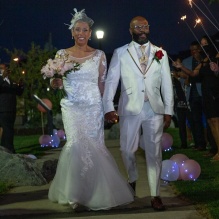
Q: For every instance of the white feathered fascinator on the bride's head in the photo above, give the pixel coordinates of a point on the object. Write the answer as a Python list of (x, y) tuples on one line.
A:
[(80, 16)]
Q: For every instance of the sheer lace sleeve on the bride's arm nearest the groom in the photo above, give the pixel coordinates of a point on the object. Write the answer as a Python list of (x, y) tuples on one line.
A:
[(102, 73)]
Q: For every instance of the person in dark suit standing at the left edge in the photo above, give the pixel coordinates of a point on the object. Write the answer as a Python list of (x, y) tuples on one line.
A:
[(8, 101)]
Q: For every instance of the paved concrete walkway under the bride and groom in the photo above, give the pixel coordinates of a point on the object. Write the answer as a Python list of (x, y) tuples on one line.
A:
[(31, 201)]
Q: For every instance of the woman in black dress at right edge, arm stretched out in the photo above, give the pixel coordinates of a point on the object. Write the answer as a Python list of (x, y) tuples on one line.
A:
[(208, 72)]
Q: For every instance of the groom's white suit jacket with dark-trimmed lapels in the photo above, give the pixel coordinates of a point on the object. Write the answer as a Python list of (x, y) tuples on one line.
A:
[(157, 81)]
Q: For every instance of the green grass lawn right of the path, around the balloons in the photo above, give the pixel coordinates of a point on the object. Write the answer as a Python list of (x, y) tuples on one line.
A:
[(204, 192)]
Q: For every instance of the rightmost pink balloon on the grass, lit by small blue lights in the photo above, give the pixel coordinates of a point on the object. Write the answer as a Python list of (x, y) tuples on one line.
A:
[(190, 170)]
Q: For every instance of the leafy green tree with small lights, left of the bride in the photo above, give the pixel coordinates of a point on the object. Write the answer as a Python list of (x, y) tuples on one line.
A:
[(28, 68)]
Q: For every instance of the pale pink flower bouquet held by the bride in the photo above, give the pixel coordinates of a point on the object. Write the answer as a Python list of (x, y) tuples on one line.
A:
[(58, 68)]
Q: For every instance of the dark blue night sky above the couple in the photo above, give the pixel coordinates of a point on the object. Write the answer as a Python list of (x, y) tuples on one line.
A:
[(26, 21)]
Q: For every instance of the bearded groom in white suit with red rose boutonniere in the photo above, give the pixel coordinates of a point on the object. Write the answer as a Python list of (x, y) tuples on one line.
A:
[(146, 103)]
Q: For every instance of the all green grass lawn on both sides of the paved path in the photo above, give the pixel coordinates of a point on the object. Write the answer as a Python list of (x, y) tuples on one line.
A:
[(204, 192)]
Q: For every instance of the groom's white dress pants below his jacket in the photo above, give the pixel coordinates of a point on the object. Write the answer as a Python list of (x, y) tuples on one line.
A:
[(130, 131)]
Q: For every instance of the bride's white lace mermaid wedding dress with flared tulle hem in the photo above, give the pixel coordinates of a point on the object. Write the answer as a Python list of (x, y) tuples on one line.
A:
[(87, 173)]
